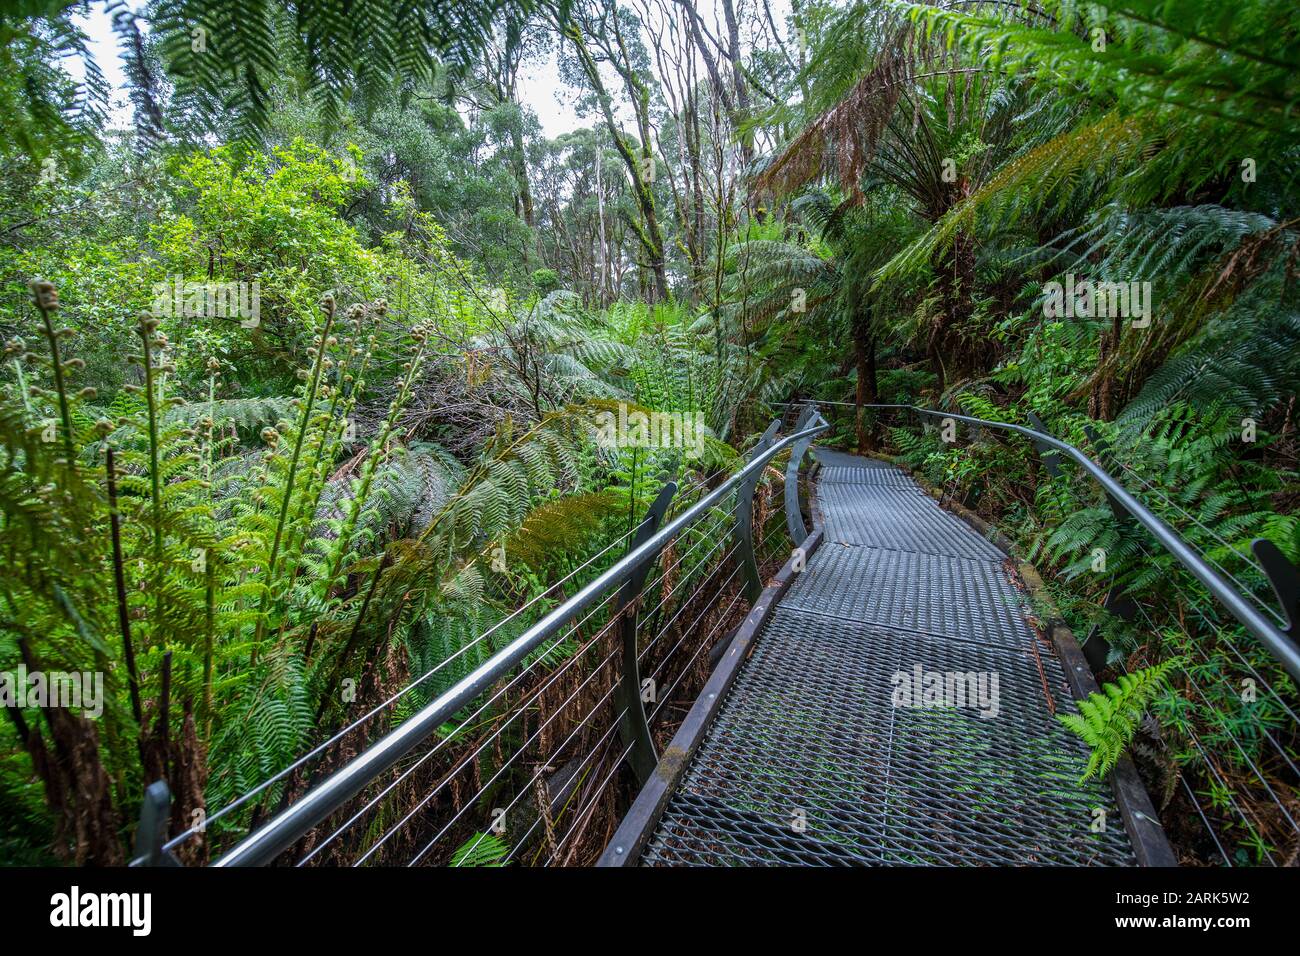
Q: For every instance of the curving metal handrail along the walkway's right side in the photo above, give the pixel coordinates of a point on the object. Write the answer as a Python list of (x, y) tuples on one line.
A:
[(1285, 650)]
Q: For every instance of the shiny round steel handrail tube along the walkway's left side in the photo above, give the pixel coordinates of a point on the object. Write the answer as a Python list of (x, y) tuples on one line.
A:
[(287, 828)]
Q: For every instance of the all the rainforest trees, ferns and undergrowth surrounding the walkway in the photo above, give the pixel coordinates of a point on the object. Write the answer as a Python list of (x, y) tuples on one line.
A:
[(304, 348)]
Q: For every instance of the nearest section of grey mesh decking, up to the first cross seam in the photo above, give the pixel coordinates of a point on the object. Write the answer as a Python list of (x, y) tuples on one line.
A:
[(811, 764)]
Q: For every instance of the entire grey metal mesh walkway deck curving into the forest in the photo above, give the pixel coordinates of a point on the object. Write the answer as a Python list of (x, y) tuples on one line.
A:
[(813, 762)]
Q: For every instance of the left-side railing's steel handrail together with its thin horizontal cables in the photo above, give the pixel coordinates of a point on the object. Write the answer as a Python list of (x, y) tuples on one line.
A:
[(339, 790)]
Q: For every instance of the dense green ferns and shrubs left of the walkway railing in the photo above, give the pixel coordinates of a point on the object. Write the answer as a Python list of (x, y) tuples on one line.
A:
[(258, 555)]
